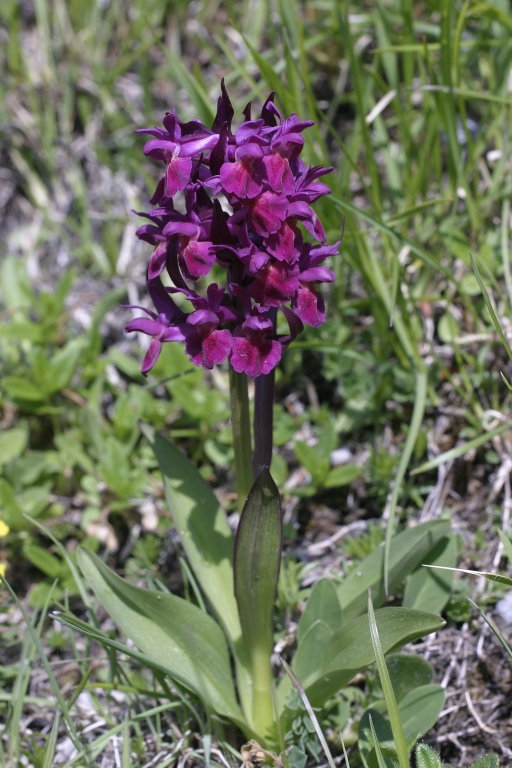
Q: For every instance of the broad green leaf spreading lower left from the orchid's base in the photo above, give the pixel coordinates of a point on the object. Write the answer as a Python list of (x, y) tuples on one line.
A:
[(171, 631)]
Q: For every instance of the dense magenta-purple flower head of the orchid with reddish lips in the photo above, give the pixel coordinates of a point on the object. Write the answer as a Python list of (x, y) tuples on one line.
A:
[(265, 189)]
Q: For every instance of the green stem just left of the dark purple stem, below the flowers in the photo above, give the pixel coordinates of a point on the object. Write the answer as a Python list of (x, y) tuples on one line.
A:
[(241, 425)]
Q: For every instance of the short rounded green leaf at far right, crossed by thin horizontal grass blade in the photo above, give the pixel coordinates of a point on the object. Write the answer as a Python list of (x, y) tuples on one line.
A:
[(430, 589)]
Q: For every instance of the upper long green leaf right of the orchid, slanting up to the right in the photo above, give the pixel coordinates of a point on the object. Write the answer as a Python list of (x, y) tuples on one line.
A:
[(408, 550)]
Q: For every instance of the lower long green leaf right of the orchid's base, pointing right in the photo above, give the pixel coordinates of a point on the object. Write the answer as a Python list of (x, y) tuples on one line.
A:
[(350, 649)]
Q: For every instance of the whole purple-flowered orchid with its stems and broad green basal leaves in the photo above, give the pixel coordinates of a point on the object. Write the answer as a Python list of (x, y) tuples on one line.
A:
[(256, 174)]
